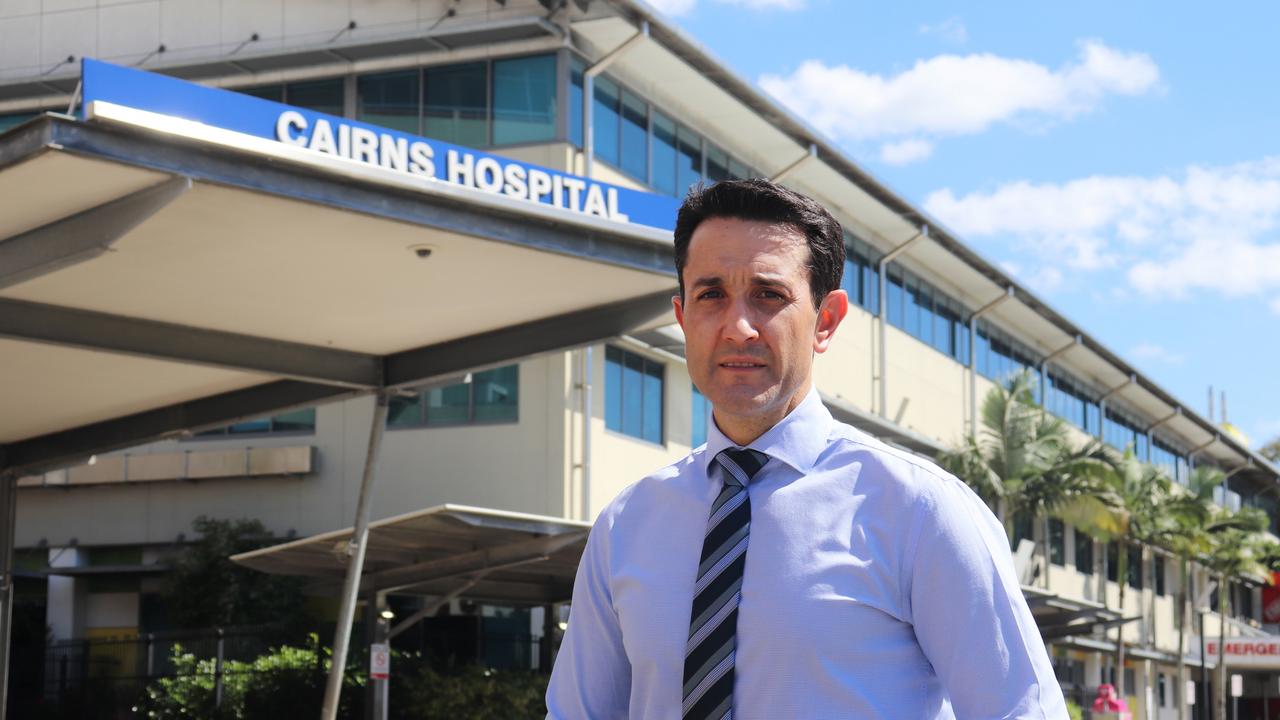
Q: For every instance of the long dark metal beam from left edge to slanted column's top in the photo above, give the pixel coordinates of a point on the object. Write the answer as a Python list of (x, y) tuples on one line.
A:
[(132, 336)]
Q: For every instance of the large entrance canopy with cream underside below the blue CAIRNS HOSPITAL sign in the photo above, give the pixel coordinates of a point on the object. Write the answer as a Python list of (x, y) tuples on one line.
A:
[(159, 277)]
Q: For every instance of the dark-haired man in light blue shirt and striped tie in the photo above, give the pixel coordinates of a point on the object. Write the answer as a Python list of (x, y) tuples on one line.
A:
[(793, 567)]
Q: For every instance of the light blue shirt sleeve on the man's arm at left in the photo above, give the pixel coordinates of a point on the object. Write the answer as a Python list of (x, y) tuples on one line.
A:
[(592, 678)]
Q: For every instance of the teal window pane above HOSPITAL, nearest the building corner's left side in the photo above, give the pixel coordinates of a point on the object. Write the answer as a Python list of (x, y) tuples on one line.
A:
[(524, 101)]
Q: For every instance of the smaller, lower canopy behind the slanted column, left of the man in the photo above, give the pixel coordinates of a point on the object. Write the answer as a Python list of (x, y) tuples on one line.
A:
[(497, 557)]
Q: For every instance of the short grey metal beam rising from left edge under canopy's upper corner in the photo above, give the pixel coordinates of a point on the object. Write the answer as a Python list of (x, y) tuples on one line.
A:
[(83, 236)]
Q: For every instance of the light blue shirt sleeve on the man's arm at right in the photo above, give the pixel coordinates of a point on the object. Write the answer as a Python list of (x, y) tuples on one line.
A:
[(970, 613)]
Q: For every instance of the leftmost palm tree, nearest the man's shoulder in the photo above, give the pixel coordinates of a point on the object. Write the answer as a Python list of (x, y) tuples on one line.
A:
[(1025, 461)]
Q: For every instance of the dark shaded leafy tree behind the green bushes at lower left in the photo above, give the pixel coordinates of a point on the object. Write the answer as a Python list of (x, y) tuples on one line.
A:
[(207, 590)]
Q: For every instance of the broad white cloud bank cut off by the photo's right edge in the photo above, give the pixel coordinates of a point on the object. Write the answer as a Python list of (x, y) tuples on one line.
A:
[(1206, 229)]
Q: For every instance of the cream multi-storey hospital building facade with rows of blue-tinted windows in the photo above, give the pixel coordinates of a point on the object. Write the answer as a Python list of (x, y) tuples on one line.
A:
[(607, 90)]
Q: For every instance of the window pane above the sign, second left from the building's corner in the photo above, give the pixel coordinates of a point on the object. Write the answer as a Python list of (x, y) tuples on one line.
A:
[(456, 107)]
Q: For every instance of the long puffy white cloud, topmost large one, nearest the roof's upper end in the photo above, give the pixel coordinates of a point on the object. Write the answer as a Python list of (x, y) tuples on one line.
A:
[(958, 94)]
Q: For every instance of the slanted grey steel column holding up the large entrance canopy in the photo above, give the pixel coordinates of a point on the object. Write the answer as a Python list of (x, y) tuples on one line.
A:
[(356, 566)]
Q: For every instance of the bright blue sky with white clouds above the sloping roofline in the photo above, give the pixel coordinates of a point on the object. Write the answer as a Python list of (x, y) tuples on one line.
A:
[(1122, 161)]
